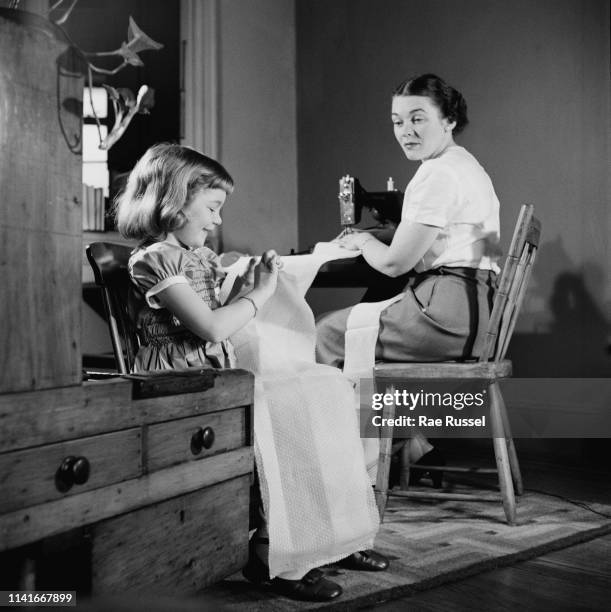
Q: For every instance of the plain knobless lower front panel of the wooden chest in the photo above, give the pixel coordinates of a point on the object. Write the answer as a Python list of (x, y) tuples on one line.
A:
[(176, 547)]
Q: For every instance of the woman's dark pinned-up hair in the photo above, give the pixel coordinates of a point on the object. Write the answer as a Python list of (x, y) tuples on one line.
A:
[(449, 101)]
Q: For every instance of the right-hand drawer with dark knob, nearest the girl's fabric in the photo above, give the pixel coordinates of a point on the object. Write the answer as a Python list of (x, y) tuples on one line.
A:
[(195, 438)]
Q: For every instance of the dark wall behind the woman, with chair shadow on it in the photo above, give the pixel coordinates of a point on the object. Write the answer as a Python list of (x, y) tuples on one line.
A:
[(535, 75)]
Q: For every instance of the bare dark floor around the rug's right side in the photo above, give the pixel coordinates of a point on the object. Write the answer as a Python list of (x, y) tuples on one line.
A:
[(575, 578)]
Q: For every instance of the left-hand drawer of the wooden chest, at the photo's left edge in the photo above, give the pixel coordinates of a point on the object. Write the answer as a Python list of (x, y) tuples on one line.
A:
[(32, 476)]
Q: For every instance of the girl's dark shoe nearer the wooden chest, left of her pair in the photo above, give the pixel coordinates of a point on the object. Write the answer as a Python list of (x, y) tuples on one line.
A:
[(312, 587)]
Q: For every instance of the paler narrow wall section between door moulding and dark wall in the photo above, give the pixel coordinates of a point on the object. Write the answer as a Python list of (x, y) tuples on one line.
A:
[(258, 141)]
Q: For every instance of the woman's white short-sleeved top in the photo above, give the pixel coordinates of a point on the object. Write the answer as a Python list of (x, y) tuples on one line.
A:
[(453, 192)]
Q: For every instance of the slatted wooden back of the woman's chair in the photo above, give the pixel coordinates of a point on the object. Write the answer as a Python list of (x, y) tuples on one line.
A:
[(512, 284)]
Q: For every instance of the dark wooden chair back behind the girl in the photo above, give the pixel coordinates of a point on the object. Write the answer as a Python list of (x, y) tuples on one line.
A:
[(109, 264)]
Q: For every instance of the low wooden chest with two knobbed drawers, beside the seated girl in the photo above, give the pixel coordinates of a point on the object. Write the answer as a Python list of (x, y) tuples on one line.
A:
[(161, 484)]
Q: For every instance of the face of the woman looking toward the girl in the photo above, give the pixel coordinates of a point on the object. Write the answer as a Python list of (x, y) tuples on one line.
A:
[(419, 128)]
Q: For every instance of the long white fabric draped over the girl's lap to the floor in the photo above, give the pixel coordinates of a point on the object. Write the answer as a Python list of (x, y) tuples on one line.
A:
[(317, 498)]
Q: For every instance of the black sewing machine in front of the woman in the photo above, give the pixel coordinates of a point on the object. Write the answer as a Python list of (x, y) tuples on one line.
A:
[(384, 206)]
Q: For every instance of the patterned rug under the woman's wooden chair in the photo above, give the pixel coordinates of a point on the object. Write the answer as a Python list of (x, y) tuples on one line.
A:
[(431, 543)]
